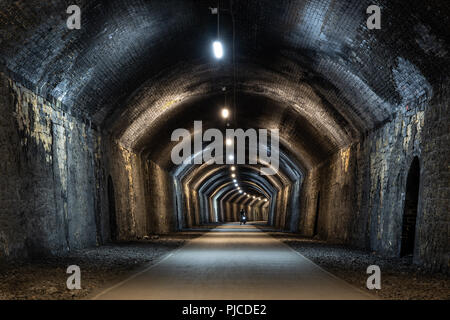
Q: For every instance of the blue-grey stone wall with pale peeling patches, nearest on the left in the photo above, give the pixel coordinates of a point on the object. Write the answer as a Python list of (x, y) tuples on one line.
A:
[(48, 176)]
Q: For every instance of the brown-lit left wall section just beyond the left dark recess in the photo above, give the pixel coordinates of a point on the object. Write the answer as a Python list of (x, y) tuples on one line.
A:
[(144, 193)]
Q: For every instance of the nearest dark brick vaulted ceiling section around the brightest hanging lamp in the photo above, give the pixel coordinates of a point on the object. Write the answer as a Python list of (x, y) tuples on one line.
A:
[(135, 60)]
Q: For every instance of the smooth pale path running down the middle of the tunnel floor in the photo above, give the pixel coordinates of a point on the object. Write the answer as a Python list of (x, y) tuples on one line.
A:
[(235, 263)]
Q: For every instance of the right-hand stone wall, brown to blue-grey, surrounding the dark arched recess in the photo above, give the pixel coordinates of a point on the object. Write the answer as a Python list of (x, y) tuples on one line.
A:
[(362, 187)]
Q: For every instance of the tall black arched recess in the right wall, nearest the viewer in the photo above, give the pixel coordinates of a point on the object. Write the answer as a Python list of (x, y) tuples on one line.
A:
[(410, 209)]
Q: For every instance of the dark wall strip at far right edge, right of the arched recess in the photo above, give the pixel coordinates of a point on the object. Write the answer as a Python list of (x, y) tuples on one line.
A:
[(435, 205)]
